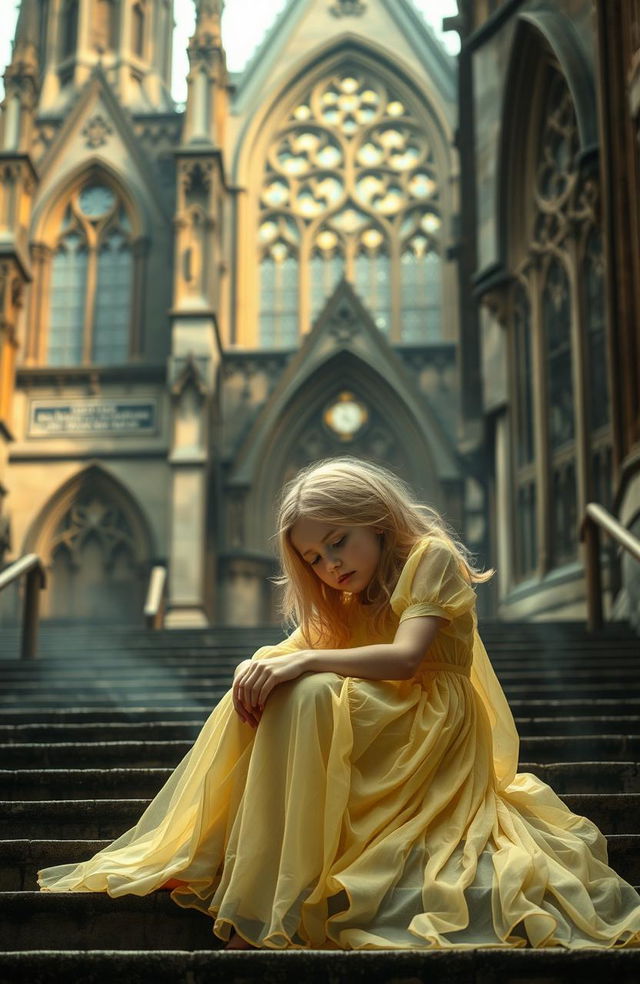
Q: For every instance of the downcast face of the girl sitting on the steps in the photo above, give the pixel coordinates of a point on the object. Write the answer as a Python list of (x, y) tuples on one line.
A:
[(344, 557)]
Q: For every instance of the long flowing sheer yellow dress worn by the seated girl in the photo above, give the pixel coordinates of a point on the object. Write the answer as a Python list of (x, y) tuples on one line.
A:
[(365, 813)]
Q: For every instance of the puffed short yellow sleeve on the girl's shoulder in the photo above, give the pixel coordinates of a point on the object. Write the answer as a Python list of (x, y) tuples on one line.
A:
[(432, 583)]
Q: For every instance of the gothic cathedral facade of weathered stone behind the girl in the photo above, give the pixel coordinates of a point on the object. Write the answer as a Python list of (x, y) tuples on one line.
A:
[(358, 244)]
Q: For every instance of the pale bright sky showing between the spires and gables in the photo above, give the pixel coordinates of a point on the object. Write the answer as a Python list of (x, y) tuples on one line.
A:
[(244, 24)]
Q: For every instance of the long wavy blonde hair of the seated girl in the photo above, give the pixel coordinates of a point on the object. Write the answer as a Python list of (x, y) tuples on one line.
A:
[(349, 492)]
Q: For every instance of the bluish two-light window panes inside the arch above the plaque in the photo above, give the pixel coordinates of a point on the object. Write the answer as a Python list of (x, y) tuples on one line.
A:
[(91, 281)]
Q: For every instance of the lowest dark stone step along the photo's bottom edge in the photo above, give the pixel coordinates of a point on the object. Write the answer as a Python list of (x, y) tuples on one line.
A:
[(481, 966)]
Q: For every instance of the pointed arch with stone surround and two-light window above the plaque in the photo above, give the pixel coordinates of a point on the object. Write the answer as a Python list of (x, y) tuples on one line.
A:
[(88, 283)]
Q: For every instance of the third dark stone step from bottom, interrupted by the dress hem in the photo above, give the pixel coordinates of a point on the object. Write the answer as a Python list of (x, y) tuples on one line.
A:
[(21, 859)]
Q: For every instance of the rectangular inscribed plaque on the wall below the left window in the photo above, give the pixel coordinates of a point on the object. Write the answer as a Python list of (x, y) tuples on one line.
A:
[(74, 418)]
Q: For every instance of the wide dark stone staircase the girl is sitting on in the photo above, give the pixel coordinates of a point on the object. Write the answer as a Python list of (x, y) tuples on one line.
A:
[(92, 729)]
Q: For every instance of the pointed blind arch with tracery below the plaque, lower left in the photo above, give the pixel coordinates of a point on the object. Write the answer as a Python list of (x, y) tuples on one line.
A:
[(96, 545)]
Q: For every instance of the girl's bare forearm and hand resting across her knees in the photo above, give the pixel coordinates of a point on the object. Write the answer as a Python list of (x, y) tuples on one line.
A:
[(397, 660)]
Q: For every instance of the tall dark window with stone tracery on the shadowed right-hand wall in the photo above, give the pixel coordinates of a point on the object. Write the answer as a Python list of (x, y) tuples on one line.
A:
[(564, 233)]
